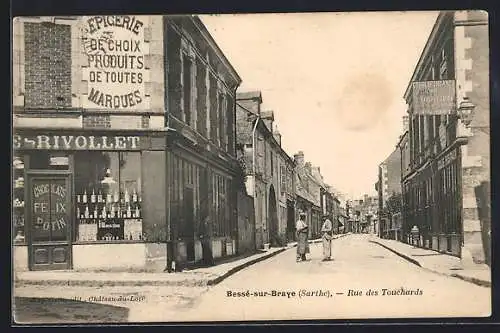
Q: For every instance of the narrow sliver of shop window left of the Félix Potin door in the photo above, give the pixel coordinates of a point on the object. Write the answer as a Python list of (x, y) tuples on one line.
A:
[(18, 198)]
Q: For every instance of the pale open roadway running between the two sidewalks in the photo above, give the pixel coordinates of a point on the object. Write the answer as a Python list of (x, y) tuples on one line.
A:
[(363, 281)]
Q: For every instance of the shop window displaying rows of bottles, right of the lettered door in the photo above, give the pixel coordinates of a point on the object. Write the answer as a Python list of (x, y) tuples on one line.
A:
[(108, 196)]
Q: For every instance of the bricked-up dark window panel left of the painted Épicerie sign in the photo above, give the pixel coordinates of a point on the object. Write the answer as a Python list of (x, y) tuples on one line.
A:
[(47, 65)]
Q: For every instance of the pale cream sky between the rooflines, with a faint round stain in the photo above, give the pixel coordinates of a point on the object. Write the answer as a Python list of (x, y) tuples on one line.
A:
[(335, 82)]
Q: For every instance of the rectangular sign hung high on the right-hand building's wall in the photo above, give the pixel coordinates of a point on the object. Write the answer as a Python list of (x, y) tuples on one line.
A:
[(433, 97)]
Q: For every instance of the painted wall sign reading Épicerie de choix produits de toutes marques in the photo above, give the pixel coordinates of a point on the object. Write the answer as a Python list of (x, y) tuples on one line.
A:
[(116, 73)]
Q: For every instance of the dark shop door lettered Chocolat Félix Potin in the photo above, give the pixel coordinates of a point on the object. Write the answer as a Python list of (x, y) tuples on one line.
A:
[(50, 221)]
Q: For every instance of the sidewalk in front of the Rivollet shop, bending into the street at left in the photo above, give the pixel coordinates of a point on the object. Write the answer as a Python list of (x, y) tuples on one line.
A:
[(196, 277)]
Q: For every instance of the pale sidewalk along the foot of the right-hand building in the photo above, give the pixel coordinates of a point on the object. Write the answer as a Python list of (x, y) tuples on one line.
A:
[(437, 262)]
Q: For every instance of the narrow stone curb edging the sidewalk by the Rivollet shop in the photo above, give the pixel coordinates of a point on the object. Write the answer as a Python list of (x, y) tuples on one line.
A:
[(189, 282)]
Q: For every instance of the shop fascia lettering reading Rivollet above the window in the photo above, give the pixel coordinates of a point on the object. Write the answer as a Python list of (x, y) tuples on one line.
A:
[(77, 142)]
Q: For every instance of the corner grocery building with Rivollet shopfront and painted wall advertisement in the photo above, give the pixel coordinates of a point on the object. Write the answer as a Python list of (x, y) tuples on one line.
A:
[(124, 133)]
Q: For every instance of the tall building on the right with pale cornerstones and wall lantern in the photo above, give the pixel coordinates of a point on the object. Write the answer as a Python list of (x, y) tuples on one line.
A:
[(448, 137)]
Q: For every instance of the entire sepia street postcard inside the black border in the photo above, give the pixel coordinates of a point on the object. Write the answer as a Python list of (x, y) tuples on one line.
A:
[(250, 167)]
